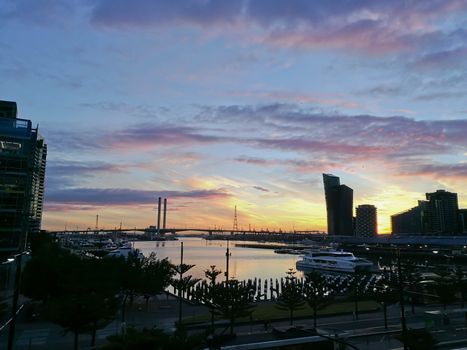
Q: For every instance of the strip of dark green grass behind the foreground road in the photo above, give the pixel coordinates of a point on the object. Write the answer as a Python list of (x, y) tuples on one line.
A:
[(269, 311)]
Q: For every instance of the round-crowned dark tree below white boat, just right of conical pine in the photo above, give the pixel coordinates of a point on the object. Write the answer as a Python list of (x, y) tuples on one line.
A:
[(315, 292)]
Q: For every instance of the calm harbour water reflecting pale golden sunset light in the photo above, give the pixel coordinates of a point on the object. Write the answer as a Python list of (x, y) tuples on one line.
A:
[(245, 263)]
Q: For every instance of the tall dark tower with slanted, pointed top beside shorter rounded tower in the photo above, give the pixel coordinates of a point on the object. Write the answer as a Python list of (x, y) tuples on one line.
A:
[(339, 206)]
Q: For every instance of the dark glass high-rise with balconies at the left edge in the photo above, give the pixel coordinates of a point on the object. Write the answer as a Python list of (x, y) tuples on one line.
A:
[(22, 170)]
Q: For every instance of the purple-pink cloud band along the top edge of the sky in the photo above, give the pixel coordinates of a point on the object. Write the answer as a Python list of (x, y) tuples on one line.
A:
[(376, 27)]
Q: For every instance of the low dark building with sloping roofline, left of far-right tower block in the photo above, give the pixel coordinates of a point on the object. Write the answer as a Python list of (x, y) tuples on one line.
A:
[(413, 221)]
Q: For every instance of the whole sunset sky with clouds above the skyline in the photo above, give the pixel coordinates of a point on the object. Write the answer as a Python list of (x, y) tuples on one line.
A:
[(215, 104)]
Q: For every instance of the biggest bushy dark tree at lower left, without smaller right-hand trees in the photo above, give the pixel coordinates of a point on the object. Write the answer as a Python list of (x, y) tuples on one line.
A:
[(78, 293)]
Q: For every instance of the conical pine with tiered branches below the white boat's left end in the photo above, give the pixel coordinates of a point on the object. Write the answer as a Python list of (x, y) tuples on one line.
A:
[(291, 297)]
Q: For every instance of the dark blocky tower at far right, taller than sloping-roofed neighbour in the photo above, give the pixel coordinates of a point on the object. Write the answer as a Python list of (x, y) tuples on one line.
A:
[(443, 212)]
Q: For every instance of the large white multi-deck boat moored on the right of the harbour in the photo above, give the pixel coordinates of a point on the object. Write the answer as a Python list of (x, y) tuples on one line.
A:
[(334, 261)]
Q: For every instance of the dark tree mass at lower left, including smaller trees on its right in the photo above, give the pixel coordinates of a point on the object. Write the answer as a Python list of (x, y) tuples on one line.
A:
[(80, 294)]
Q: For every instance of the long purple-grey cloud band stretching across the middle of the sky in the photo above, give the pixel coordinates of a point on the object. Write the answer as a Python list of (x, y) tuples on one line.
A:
[(322, 140)]
